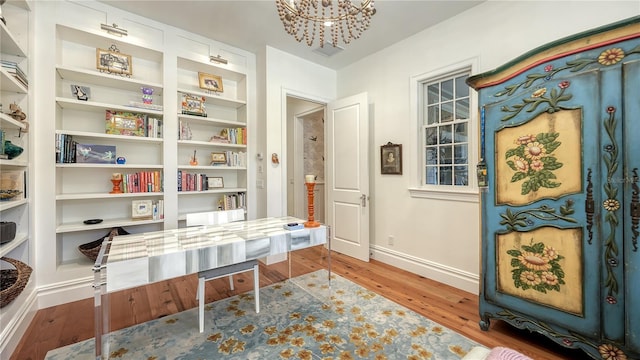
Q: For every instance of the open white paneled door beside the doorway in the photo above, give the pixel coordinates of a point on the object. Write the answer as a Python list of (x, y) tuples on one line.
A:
[(347, 180)]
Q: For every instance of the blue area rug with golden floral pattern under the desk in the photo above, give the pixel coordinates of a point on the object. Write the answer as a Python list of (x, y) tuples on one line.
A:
[(303, 318)]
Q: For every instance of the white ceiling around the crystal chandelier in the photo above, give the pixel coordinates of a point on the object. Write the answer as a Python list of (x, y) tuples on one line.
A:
[(251, 25)]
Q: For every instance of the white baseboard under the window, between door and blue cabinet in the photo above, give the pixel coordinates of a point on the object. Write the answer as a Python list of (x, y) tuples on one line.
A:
[(447, 275)]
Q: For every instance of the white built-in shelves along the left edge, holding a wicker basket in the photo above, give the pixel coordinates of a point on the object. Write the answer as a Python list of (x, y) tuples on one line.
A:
[(16, 125)]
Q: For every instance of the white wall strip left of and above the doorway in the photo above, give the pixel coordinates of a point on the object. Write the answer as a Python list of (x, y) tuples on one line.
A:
[(287, 75)]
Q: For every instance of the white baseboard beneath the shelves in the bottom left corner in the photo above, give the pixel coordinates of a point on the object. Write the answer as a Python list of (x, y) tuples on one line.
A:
[(12, 331)]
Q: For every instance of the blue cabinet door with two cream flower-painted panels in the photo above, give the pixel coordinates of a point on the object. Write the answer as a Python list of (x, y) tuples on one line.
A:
[(536, 216)]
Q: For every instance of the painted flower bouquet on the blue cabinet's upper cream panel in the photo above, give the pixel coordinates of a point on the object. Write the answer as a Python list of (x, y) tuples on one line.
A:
[(534, 161)]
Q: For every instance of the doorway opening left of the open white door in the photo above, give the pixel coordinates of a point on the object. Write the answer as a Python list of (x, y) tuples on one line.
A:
[(305, 147)]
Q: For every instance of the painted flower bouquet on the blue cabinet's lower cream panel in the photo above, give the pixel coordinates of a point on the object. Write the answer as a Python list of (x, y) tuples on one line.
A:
[(537, 267)]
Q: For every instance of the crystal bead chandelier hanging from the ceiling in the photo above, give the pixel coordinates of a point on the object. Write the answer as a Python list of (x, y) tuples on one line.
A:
[(343, 18)]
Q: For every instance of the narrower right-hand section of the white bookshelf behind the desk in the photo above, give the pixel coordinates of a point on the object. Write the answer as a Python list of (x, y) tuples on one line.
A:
[(212, 141)]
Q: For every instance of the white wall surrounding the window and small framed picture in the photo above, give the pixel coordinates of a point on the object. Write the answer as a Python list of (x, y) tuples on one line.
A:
[(440, 238)]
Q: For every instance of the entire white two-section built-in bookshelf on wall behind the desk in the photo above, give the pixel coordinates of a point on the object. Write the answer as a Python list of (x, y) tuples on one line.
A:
[(77, 101)]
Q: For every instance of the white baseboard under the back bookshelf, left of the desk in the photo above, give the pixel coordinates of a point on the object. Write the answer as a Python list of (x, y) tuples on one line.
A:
[(65, 292)]
